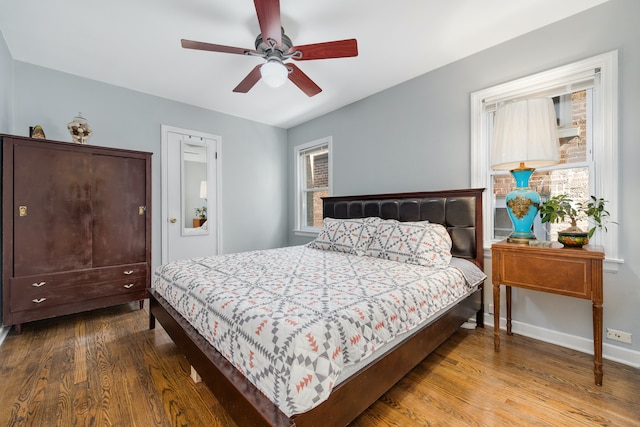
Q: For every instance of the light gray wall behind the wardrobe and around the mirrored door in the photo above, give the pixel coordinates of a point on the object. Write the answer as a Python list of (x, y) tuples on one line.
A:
[(253, 210)]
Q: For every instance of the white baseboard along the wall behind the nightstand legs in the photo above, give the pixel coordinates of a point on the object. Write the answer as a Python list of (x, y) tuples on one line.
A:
[(610, 352)]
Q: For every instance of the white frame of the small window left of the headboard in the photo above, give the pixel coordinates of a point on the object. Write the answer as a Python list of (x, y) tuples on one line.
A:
[(300, 205)]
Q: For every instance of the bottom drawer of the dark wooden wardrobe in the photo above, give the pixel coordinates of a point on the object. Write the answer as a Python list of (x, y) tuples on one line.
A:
[(33, 298)]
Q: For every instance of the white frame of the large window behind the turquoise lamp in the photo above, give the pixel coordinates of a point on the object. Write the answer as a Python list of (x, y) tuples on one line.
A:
[(605, 137)]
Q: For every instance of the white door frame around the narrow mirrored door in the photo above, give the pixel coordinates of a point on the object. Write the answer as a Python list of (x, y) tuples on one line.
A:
[(164, 158)]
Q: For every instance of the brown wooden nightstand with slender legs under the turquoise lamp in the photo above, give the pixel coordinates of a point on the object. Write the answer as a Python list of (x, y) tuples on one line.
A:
[(557, 270)]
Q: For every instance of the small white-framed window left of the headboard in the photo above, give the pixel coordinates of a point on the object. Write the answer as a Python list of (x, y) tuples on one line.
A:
[(313, 181)]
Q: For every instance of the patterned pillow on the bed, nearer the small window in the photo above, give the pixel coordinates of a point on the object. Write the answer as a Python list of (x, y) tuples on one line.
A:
[(346, 235)]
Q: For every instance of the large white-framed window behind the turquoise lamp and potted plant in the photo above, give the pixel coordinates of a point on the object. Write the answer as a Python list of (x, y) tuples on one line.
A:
[(585, 97)]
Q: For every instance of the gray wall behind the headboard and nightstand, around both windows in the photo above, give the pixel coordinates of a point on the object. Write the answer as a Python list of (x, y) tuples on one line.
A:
[(416, 136)]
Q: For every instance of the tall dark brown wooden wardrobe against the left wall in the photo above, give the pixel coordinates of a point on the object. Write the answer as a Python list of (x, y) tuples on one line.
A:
[(76, 228)]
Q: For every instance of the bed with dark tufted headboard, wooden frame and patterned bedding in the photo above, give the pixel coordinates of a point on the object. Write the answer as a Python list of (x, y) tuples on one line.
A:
[(344, 396)]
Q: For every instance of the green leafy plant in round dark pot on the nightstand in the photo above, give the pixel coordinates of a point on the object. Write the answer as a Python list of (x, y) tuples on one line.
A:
[(559, 207)]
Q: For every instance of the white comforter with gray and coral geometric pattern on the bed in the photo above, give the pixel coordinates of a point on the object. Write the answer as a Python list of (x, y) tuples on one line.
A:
[(291, 319)]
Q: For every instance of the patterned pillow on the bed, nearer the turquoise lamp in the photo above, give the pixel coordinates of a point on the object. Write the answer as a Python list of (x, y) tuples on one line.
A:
[(419, 243)]
